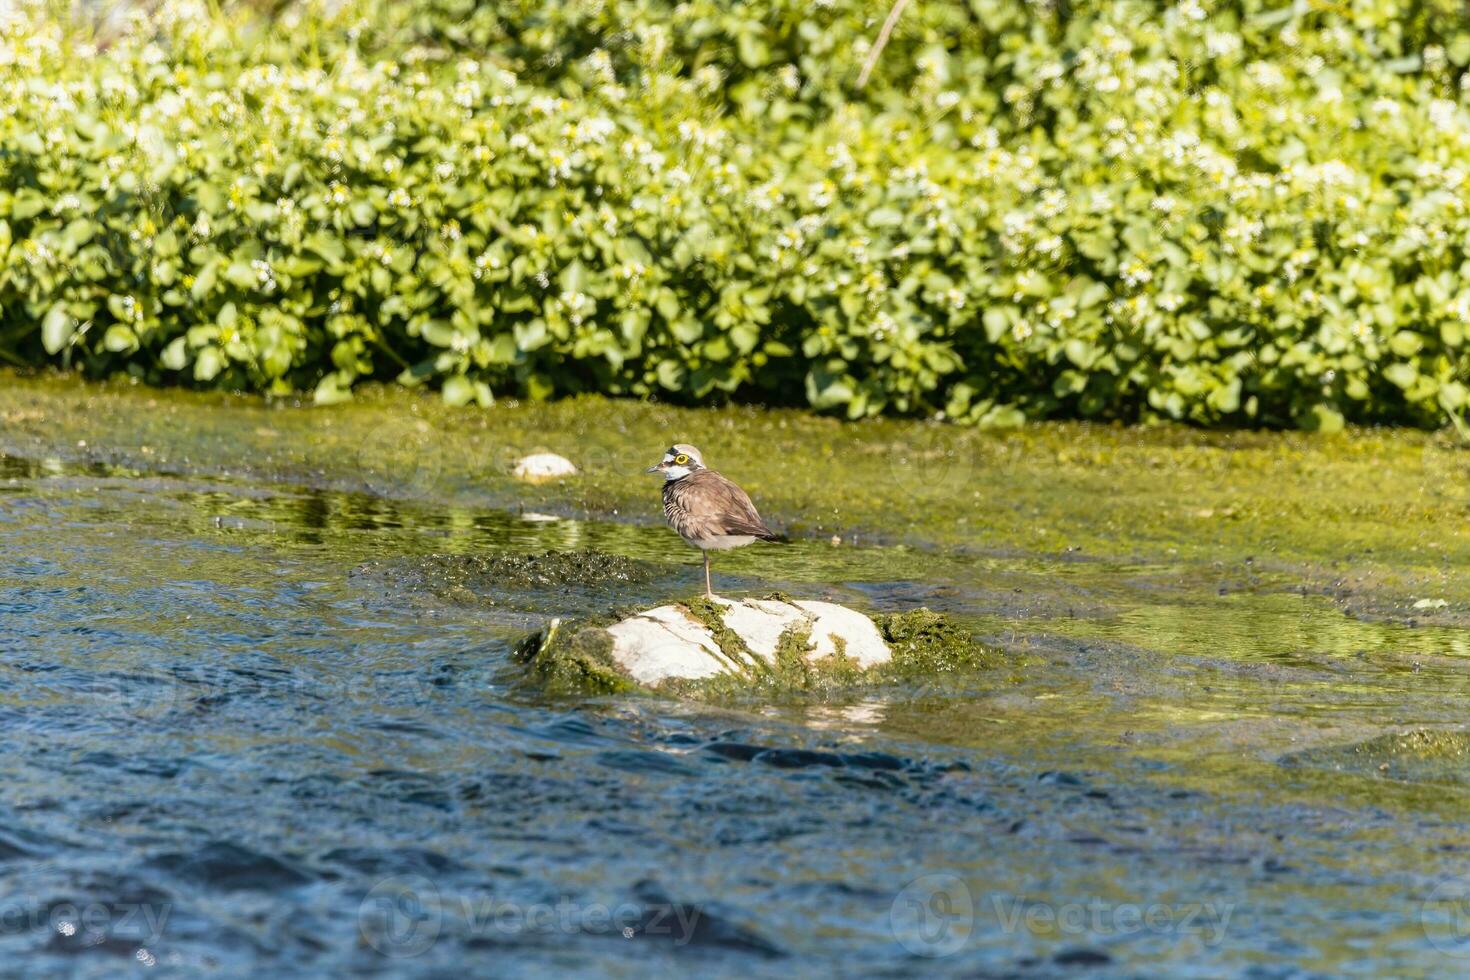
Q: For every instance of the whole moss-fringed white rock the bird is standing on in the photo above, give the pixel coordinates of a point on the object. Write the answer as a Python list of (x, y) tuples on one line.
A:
[(723, 647)]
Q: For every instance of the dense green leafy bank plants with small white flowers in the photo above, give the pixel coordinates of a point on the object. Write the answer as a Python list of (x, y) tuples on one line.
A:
[(1241, 214)]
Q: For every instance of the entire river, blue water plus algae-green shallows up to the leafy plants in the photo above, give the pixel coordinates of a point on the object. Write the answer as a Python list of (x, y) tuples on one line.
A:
[(262, 712)]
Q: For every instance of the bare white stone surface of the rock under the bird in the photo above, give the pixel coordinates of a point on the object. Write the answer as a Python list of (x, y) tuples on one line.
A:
[(668, 643)]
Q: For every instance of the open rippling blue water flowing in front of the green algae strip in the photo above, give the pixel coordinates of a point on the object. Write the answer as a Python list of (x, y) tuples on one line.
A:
[(242, 737)]
